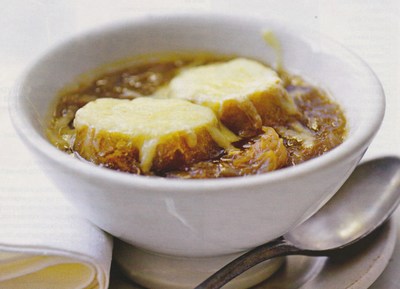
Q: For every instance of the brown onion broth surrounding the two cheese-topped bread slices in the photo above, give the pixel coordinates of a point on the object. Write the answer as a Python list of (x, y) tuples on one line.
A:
[(319, 118)]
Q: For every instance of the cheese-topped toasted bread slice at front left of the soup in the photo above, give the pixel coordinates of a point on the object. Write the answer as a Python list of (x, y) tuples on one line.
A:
[(148, 134)]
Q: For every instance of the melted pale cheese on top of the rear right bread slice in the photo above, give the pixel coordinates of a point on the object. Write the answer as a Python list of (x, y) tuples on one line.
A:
[(213, 84)]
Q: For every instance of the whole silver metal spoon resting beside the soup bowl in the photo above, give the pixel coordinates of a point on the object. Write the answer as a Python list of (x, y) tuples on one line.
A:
[(363, 203)]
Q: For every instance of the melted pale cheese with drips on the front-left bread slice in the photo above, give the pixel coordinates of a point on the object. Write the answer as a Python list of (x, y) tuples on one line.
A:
[(148, 122)]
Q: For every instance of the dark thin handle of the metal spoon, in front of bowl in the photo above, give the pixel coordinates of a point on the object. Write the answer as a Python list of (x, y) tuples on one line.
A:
[(276, 248)]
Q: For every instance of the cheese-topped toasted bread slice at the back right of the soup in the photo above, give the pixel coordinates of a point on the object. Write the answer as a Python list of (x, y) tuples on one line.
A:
[(243, 93)]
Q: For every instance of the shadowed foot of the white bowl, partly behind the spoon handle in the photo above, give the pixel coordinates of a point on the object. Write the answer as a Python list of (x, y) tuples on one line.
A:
[(156, 271)]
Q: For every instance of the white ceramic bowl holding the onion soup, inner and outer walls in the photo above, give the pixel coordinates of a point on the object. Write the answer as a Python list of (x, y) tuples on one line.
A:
[(200, 217)]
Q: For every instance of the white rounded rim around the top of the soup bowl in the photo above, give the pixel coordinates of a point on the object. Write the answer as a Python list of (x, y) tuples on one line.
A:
[(41, 145)]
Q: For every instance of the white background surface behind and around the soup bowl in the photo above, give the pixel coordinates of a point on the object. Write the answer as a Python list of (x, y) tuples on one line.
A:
[(371, 28)]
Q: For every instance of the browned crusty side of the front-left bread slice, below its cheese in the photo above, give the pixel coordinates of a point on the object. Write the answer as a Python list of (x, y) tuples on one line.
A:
[(117, 152)]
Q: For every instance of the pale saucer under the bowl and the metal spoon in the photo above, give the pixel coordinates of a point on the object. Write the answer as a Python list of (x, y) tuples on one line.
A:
[(356, 268)]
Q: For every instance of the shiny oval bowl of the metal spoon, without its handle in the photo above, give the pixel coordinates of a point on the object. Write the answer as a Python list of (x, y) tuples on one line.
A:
[(363, 203)]
